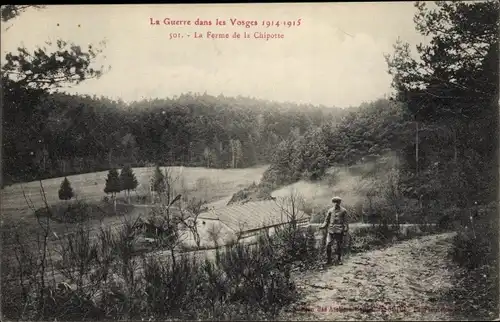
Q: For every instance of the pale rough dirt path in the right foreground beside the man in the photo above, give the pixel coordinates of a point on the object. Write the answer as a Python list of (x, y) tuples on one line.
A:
[(403, 282)]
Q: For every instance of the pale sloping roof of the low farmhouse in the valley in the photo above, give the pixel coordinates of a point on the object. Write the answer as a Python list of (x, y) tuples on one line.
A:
[(254, 215)]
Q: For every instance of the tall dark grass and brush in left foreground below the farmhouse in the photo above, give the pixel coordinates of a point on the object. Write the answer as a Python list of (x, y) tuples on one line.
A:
[(103, 278)]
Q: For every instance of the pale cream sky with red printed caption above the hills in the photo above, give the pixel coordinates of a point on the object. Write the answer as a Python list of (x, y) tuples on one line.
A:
[(335, 57)]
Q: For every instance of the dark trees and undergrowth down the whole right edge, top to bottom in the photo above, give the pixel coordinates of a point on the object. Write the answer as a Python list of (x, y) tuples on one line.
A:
[(451, 91)]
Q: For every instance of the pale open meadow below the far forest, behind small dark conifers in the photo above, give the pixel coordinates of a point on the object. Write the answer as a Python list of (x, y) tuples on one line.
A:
[(208, 184)]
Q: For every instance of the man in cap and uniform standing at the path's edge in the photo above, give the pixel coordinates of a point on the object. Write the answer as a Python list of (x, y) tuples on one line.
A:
[(337, 225)]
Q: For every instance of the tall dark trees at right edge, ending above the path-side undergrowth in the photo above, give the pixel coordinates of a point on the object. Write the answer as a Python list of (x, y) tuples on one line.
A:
[(452, 89)]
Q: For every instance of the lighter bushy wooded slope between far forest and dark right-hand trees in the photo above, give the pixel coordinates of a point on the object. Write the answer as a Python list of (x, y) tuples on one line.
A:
[(363, 135)]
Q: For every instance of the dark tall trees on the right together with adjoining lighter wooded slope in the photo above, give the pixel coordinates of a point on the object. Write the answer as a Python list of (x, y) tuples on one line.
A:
[(442, 121)]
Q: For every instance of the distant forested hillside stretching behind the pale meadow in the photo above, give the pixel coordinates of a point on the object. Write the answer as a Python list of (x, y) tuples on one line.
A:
[(47, 135)]
